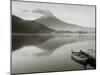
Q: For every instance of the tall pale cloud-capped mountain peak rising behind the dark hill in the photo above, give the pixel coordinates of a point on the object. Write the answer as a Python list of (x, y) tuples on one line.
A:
[(53, 22)]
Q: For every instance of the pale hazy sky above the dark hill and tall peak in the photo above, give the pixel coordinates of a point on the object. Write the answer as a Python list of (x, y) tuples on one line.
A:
[(80, 15)]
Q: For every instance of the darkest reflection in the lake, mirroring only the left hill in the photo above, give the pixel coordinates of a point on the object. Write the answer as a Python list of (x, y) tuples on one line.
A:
[(19, 41)]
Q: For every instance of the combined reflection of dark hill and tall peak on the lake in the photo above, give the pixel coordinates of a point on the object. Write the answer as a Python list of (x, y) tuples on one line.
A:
[(47, 43)]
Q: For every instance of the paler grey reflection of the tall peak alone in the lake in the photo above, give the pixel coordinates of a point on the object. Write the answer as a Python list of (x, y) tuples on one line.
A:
[(50, 45)]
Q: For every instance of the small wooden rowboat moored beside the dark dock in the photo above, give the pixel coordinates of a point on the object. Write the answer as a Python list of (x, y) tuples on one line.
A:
[(80, 58)]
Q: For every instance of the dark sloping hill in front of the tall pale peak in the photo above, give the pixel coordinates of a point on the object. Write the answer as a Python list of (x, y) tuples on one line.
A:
[(22, 26)]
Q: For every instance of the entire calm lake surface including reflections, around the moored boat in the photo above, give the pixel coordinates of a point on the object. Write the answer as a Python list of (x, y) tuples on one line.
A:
[(41, 53)]
